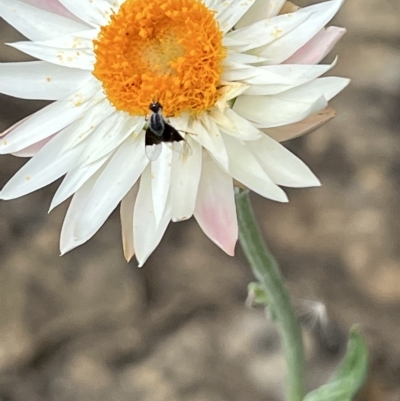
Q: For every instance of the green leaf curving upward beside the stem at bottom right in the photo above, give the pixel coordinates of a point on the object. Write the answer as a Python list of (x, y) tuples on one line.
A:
[(349, 376)]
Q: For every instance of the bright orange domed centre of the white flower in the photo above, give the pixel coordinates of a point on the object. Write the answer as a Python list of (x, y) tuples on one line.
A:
[(168, 51)]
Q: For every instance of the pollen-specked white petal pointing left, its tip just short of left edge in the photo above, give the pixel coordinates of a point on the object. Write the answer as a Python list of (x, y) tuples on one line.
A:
[(73, 51)]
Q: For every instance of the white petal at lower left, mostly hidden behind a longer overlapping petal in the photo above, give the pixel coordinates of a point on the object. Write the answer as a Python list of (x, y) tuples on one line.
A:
[(79, 201)]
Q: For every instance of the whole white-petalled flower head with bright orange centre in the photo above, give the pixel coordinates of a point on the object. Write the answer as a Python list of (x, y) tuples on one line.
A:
[(229, 75)]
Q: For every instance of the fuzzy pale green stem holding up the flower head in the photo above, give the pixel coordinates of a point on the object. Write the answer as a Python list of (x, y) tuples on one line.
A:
[(266, 270)]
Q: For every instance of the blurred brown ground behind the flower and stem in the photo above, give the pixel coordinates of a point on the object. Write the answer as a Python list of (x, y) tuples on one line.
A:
[(88, 326)]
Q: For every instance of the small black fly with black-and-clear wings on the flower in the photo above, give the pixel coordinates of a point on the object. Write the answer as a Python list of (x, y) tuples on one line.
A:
[(160, 131)]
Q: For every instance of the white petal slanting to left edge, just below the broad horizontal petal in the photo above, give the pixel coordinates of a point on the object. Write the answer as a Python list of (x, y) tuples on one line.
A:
[(50, 119)]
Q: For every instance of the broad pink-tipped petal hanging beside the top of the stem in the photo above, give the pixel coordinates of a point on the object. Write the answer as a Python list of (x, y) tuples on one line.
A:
[(215, 207)]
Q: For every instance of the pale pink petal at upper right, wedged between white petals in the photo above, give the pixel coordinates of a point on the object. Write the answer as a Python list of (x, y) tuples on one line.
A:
[(318, 47)]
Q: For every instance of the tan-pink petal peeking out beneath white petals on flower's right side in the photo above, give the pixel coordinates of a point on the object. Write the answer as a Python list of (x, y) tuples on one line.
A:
[(309, 124)]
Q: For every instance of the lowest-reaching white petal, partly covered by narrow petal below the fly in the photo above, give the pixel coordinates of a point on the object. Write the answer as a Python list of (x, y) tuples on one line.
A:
[(147, 234)]
